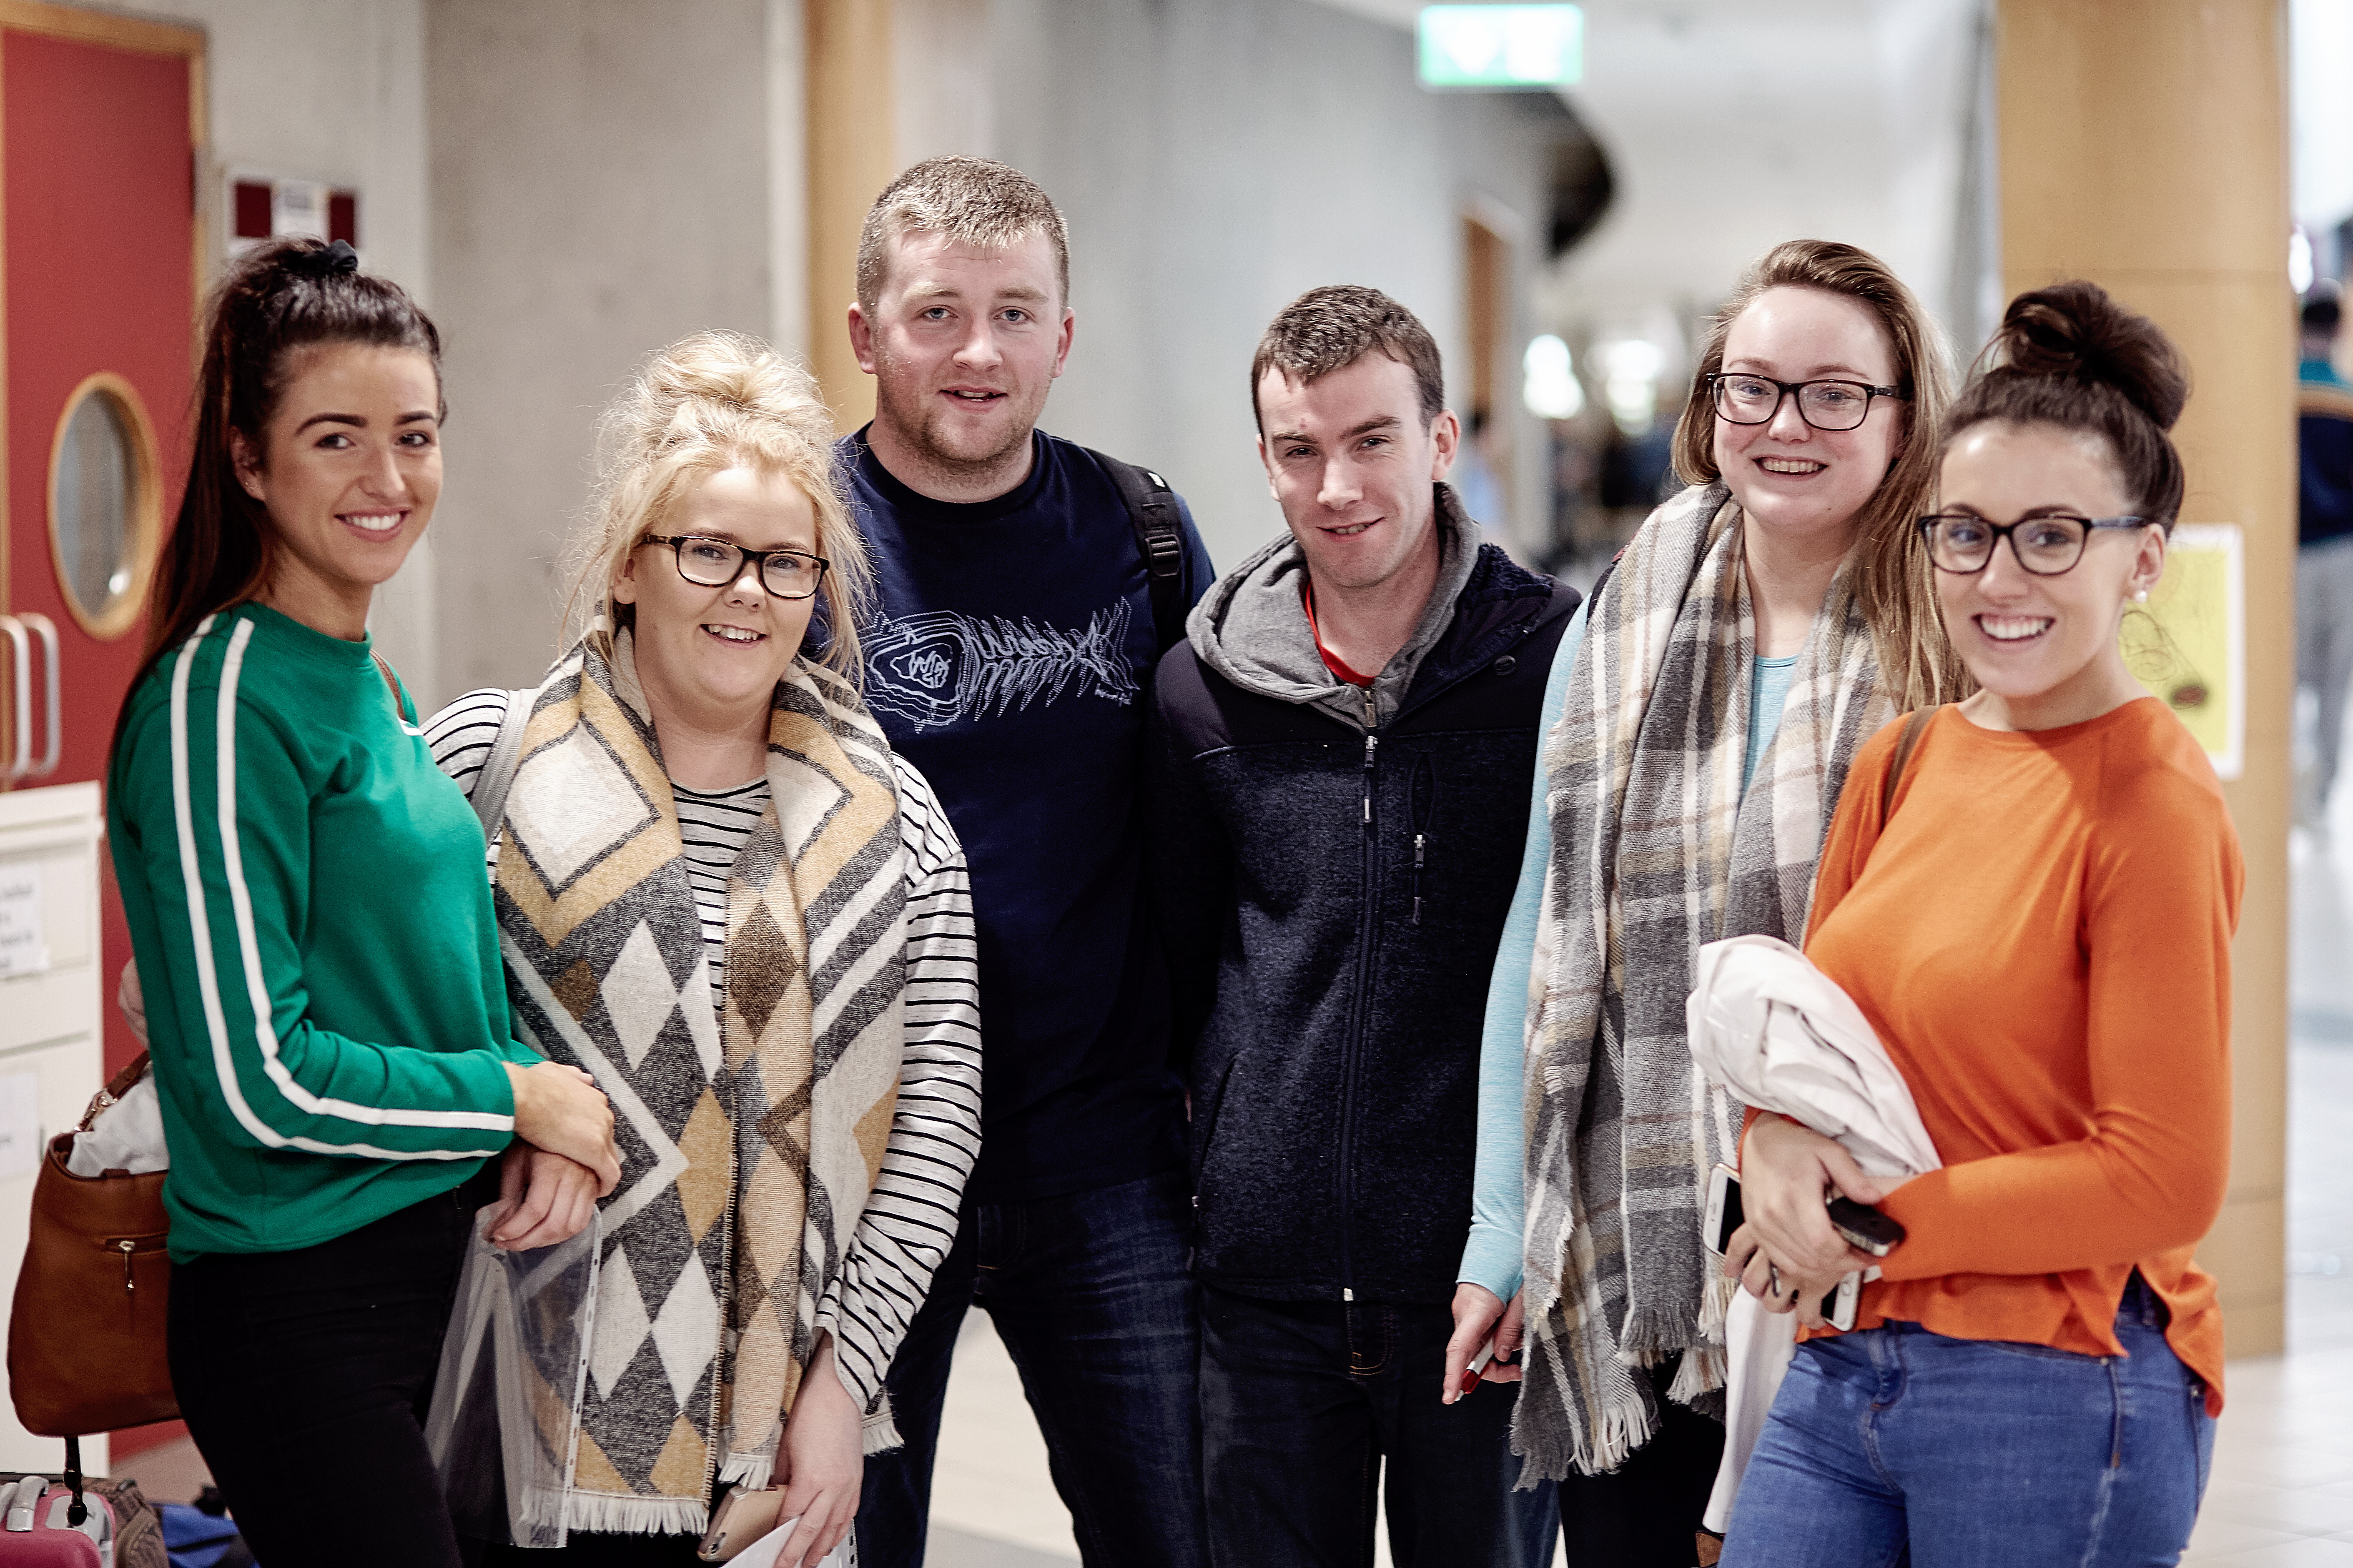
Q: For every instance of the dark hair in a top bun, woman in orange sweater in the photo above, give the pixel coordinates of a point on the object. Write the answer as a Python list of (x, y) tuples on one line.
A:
[(2074, 359)]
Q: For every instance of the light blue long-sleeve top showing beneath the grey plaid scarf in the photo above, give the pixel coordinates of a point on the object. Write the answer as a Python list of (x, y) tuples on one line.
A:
[(1498, 1195)]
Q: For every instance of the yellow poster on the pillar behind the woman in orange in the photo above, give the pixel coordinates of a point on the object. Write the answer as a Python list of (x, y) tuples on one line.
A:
[(2189, 643)]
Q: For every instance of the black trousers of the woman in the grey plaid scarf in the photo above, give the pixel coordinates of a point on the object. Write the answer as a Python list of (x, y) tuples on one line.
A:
[(1646, 1513)]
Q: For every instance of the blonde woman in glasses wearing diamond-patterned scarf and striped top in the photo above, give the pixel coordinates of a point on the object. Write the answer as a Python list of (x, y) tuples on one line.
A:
[(768, 967)]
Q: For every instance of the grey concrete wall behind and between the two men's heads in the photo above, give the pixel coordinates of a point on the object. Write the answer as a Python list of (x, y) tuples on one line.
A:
[(1215, 161)]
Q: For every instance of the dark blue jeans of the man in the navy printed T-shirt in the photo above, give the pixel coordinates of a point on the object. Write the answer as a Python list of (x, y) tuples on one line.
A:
[(1095, 1306)]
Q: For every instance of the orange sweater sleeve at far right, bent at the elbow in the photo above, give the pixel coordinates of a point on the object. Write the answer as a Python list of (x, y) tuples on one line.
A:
[(2149, 1174)]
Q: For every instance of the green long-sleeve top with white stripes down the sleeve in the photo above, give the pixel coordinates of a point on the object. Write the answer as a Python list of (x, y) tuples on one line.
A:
[(314, 934)]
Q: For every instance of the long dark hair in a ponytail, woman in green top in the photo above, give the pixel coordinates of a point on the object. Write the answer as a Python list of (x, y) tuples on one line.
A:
[(276, 300)]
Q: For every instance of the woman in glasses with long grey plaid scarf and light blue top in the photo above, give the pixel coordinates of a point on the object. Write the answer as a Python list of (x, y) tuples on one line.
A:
[(1702, 716)]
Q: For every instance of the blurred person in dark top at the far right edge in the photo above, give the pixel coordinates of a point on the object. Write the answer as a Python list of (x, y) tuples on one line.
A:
[(2324, 535)]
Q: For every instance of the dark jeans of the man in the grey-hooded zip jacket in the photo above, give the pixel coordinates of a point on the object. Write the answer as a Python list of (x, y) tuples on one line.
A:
[(1300, 1407)]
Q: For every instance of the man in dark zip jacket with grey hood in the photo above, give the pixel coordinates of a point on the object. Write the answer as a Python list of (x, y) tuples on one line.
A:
[(1340, 789)]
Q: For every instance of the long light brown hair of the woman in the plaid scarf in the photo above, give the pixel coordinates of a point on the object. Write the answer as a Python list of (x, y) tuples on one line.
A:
[(1895, 579)]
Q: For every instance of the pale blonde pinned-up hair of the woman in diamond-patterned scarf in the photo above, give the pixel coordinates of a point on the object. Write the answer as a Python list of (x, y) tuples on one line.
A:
[(698, 408)]
